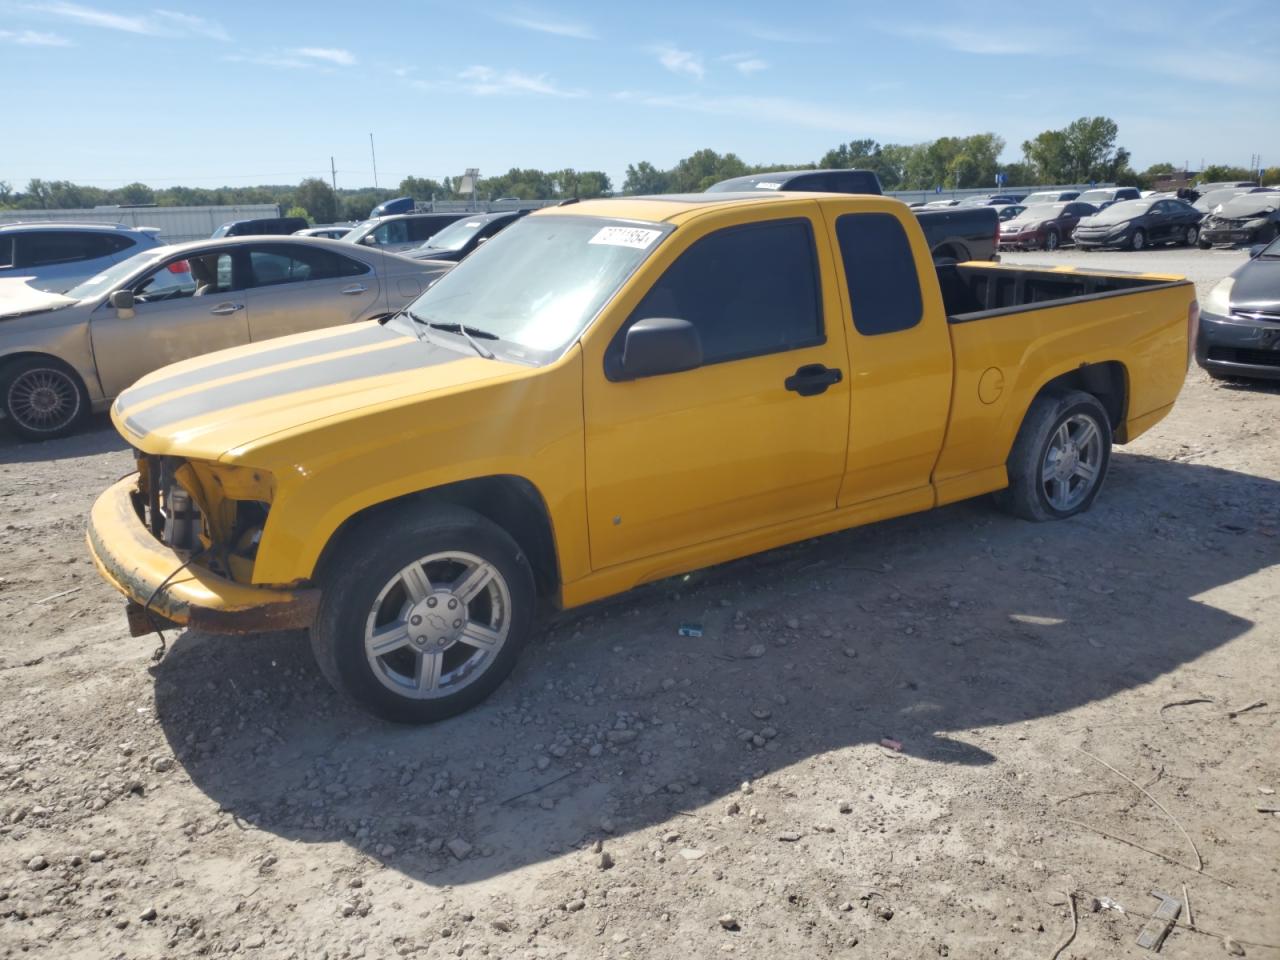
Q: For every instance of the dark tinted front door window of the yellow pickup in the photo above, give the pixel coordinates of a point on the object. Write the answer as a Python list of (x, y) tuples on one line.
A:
[(748, 290)]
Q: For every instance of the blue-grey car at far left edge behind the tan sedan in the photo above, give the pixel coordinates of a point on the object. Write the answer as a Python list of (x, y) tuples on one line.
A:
[(56, 257)]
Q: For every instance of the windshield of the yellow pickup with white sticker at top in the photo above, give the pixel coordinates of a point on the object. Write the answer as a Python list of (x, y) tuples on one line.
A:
[(541, 282)]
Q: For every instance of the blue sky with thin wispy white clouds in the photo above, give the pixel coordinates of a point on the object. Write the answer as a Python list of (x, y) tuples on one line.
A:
[(266, 93)]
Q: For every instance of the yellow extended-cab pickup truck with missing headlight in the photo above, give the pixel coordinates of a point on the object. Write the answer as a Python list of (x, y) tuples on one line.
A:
[(605, 395)]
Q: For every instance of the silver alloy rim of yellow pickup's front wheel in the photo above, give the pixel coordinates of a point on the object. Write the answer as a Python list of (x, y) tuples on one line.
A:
[(438, 625)]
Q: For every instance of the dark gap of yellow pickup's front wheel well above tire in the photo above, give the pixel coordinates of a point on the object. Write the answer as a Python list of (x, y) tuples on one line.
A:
[(511, 502)]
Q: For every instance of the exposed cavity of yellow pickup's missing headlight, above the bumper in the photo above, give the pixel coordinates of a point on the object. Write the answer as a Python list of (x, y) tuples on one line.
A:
[(212, 514)]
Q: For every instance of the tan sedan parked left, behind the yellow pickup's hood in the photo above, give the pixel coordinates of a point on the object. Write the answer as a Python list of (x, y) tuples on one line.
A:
[(63, 355)]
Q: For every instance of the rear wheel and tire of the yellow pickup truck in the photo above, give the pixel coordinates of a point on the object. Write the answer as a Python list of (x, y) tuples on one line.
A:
[(1060, 458)]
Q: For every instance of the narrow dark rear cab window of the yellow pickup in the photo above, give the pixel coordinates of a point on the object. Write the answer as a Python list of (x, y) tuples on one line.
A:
[(884, 287)]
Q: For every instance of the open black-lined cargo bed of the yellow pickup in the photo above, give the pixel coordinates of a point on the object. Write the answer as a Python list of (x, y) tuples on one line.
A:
[(977, 291)]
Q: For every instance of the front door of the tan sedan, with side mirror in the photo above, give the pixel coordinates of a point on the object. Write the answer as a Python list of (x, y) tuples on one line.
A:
[(177, 314)]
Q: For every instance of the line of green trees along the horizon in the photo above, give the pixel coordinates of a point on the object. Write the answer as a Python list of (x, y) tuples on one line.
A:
[(1082, 152)]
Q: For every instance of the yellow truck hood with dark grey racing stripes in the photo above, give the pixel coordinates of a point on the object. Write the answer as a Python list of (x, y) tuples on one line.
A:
[(212, 406)]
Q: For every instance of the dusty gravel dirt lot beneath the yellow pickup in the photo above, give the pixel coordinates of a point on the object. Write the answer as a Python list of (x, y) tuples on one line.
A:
[(226, 802)]
